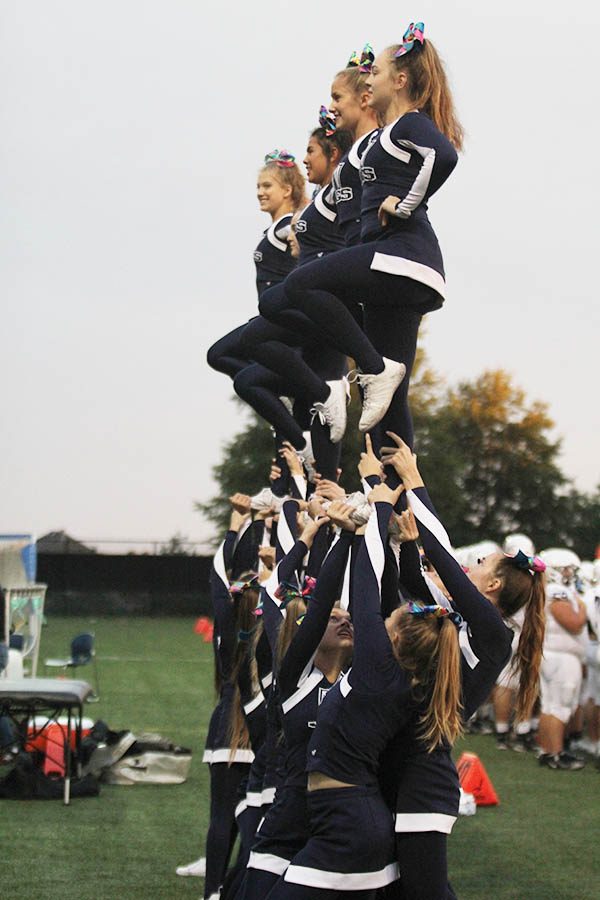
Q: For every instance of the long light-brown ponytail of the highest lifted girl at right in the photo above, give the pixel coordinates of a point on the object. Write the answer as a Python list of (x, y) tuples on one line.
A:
[(429, 90)]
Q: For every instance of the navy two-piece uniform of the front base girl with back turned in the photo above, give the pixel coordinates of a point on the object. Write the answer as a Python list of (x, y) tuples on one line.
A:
[(372, 702)]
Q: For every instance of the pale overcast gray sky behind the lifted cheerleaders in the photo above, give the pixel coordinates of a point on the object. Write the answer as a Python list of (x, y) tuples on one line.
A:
[(131, 136)]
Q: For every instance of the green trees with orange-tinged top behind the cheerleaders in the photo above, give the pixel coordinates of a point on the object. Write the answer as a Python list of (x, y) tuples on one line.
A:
[(486, 454)]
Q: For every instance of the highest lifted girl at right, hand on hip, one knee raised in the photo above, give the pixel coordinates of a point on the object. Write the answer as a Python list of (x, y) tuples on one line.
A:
[(397, 271)]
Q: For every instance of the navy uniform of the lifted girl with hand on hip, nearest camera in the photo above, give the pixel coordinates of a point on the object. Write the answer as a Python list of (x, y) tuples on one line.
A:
[(397, 270)]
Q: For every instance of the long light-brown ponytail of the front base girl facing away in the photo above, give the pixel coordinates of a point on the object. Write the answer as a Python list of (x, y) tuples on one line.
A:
[(429, 649)]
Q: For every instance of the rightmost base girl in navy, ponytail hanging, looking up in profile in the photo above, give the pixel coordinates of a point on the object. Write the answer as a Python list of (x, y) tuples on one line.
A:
[(486, 597)]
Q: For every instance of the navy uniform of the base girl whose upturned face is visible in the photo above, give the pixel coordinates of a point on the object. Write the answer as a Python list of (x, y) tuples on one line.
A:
[(302, 687)]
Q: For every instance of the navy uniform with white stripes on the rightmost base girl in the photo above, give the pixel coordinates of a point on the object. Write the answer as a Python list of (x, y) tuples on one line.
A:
[(424, 786)]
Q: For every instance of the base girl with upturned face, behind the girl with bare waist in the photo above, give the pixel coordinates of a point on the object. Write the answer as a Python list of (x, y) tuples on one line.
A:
[(315, 641)]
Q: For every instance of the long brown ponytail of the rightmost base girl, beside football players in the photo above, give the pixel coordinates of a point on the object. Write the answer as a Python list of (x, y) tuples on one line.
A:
[(522, 589)]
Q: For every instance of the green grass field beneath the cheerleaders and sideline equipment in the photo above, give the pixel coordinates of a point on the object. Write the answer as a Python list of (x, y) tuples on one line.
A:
[(541, 843)]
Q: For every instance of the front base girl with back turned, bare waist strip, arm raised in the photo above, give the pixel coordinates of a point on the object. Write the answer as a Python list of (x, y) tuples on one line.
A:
[(405, 677)]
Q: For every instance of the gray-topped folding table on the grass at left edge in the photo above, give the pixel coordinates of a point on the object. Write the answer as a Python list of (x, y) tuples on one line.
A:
[(48, 697)]
